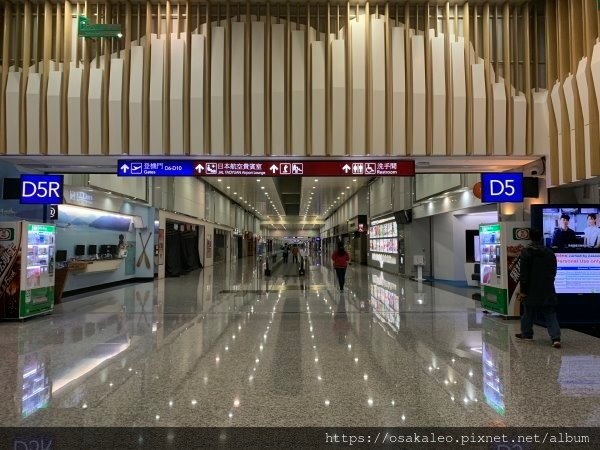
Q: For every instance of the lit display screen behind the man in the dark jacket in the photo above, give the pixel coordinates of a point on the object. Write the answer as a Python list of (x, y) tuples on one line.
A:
[(573, 233)]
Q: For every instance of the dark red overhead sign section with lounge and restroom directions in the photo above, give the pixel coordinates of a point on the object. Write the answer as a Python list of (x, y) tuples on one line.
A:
[(282, 168)]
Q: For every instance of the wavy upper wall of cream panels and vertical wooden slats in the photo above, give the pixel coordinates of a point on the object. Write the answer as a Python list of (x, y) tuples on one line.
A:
[(367, 88)]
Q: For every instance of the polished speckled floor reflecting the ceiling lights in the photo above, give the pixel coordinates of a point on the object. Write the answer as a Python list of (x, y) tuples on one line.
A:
[(226, 346)]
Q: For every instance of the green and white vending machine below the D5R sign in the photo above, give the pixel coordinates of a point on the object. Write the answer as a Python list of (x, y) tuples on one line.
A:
[(27, 262)]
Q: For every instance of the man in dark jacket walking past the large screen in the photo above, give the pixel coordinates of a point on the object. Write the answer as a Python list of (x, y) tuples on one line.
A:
[(538, 270)]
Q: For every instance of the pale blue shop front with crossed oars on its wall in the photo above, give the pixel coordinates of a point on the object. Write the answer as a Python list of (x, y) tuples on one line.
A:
[(102, 239)]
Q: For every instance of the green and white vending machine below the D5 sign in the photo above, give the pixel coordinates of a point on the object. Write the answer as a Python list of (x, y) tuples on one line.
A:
[(500, 248)]
